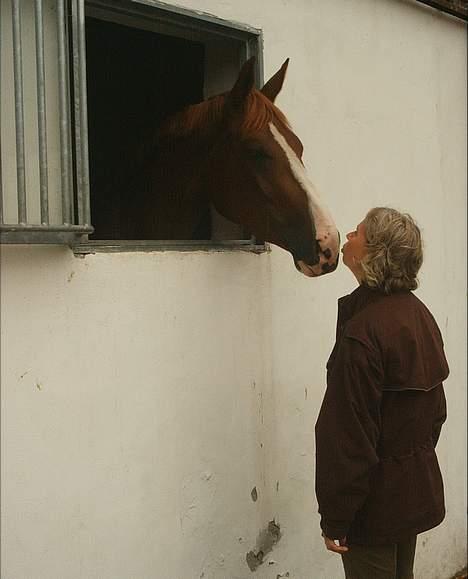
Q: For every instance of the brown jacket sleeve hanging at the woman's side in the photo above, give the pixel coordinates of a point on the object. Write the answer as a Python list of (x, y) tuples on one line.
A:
[(347, 433)]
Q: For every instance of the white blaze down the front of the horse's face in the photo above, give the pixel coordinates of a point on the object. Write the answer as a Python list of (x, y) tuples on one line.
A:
[(326, 232)]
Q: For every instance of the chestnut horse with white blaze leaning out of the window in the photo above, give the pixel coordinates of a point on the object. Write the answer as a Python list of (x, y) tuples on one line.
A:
[(238, 152)]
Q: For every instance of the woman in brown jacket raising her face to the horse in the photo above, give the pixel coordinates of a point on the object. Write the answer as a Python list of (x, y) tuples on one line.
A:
[(378, 482)]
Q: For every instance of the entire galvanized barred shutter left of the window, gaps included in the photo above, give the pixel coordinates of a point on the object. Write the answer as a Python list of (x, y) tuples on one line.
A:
[(31, 211)]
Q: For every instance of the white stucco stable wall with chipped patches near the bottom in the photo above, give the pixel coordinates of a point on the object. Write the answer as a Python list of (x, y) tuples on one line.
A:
[(145, 395)]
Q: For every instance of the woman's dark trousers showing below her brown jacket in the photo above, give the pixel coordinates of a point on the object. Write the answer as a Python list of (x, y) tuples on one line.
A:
[(393, 561)]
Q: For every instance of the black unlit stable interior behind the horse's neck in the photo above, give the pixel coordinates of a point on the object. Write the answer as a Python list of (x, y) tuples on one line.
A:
[(135, 80)]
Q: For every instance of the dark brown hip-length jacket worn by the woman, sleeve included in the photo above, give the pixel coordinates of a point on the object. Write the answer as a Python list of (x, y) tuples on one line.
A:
[(377, 476)]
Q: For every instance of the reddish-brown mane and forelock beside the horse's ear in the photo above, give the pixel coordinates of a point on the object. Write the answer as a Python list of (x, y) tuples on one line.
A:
[(200, 119)]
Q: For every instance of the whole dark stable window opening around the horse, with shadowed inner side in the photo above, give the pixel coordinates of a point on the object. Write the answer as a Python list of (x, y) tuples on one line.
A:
[(141, 71)]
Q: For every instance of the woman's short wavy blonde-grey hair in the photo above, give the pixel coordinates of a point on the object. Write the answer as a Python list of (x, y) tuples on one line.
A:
[(394, 250)]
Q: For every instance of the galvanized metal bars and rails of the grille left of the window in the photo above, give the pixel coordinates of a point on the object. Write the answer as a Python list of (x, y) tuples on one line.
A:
[(75, 225)]
